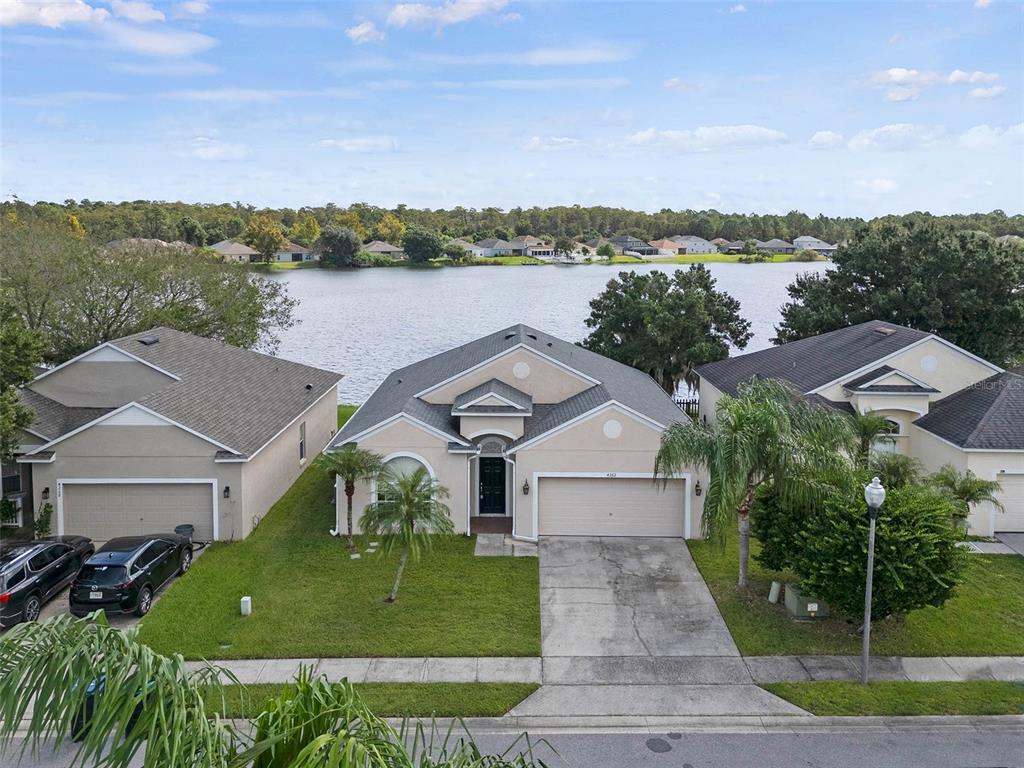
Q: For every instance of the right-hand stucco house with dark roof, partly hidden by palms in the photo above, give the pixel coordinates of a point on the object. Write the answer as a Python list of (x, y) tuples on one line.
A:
[(946, 405)]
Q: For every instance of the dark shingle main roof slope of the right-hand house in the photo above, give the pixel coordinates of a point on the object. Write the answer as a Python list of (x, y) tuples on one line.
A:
[(814, 362)]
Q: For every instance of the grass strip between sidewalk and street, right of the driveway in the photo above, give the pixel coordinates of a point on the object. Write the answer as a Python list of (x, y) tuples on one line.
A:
[(976, 698)]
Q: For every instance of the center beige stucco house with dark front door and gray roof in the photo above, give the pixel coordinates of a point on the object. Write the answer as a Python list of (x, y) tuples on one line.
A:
[(533, 437)]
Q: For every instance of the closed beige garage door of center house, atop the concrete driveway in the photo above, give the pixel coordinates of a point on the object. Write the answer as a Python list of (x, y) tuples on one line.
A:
[(611, 506)]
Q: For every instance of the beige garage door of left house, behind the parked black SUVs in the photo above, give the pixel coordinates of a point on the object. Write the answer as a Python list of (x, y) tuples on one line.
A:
[(109, 510)]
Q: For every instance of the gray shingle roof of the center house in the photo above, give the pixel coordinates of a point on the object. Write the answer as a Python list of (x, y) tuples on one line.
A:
[(614, 381)]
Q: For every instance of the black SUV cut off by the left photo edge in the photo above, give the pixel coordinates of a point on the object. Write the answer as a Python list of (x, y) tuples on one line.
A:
[(32, 573)]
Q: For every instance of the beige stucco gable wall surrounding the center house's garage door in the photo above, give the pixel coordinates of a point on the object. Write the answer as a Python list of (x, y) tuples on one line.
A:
[(587, 448)]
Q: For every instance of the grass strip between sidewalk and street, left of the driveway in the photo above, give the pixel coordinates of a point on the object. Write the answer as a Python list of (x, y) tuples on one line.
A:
[(393, 700)]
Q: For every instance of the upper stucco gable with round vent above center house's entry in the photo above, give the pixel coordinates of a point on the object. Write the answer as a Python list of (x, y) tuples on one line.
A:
[(545, 381)]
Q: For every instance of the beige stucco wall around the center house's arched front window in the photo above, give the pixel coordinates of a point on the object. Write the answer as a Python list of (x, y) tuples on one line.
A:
[(403, 438)]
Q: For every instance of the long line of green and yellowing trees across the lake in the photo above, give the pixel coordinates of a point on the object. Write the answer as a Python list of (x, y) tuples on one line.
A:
[(208, 224)]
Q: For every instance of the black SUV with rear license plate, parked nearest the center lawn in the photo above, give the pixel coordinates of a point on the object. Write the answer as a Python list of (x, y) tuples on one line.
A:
[(126, 573)]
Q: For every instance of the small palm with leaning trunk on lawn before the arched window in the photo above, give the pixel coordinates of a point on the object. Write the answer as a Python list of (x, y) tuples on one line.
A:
[(407, 514)]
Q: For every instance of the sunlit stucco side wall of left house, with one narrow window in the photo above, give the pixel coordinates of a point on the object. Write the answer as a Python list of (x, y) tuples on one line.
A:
[(268, 476)]
